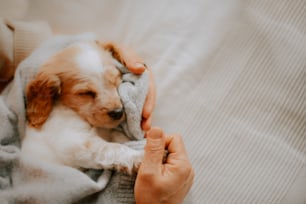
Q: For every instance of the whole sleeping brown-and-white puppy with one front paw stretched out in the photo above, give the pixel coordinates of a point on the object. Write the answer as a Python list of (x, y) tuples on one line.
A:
[(72, 106)]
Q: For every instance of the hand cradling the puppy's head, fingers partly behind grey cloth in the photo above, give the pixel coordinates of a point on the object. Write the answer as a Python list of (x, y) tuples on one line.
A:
[(136, 65)]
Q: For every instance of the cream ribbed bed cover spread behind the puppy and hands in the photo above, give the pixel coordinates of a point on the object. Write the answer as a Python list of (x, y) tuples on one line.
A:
[(230, 78)]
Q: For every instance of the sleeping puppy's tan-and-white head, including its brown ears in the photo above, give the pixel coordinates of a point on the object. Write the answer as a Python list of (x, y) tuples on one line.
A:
[(82, 77)]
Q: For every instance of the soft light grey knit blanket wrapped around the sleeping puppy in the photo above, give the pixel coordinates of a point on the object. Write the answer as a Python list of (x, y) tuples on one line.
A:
[(32, 183)]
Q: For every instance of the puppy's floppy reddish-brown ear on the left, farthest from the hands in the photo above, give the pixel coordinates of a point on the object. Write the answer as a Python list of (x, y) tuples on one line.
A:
[(41, 94)]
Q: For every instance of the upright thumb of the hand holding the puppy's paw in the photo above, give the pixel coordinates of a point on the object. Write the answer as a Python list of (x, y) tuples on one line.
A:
[(154, 150)]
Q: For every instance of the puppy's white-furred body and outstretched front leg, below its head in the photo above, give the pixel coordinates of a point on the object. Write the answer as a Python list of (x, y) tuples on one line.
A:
[(63, 138)]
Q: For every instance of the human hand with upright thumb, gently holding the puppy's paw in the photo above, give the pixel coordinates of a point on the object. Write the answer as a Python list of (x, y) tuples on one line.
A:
[(167, 182)]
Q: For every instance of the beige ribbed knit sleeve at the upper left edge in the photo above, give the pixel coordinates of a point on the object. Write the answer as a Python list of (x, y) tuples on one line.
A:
[(17, 40)]
